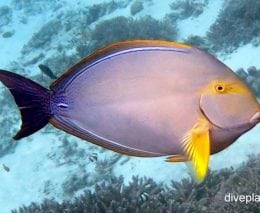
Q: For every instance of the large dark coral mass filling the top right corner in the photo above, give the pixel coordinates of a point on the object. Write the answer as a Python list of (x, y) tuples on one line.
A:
[(237, 24)]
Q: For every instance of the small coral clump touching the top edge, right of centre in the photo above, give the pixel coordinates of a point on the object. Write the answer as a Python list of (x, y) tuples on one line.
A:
[(186, 8)]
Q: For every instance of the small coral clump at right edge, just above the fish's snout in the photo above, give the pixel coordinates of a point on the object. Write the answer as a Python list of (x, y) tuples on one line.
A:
[(252, 78)]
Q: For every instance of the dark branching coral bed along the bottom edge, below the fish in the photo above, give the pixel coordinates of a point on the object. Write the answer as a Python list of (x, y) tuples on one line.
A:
[(144, 195)]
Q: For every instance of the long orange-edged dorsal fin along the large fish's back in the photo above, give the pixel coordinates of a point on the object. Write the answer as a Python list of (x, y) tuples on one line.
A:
[(116, 47)]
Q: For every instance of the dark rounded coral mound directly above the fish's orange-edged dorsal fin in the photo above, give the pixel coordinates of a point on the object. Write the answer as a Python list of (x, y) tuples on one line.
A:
[(122, 28)]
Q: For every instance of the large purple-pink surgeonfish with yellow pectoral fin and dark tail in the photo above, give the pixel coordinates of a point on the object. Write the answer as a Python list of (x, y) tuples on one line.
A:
[(144, 98)]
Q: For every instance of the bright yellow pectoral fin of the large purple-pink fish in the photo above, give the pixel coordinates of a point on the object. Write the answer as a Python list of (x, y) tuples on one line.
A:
[(196, 145)]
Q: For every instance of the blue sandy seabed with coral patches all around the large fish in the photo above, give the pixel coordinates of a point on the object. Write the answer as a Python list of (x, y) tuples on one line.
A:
[(52, 171)]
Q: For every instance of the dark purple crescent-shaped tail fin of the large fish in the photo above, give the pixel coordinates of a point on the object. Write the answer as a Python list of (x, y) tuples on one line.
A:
[(32, 99)]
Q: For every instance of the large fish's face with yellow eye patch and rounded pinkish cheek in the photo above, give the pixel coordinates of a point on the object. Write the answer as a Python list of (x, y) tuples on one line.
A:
[(230, 104)]
